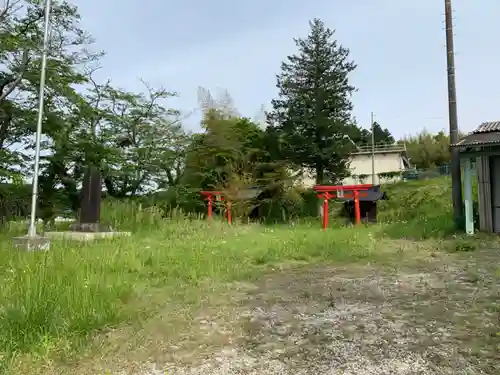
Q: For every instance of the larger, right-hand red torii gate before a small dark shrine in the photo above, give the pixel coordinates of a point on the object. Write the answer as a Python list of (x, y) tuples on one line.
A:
[(354, 191)]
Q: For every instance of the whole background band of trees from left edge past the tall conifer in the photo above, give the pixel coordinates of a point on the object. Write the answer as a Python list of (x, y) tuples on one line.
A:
[(138, 140)]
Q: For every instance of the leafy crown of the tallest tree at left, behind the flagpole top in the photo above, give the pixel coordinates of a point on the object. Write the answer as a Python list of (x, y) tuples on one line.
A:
[(21, 30)]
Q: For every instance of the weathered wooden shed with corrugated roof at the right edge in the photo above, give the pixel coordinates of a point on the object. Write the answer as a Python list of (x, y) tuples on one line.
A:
[(480, 156)]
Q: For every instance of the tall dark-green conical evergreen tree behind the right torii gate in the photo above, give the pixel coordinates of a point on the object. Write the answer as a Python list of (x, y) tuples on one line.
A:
[(313, 110)]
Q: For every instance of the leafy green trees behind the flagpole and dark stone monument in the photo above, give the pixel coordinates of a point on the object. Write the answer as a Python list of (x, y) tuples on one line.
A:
[(134, 138)]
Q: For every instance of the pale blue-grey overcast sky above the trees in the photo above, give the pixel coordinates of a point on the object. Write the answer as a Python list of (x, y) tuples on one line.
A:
[(399, 46)]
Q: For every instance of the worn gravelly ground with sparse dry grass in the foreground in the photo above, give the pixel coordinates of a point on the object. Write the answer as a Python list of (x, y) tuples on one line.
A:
[(438, 315)]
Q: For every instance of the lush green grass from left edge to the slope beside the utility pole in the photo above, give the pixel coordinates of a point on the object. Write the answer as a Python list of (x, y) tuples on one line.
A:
[(53, 300)]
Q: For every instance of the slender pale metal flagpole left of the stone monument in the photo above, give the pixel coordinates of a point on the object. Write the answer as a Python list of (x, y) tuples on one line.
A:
[(36, 169)]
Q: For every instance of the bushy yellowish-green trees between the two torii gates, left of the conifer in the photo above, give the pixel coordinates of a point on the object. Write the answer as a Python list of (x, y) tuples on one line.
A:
[(231, 157)]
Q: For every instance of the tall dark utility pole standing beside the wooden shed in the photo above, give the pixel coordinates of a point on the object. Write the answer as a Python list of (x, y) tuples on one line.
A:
[(456, 180)]
